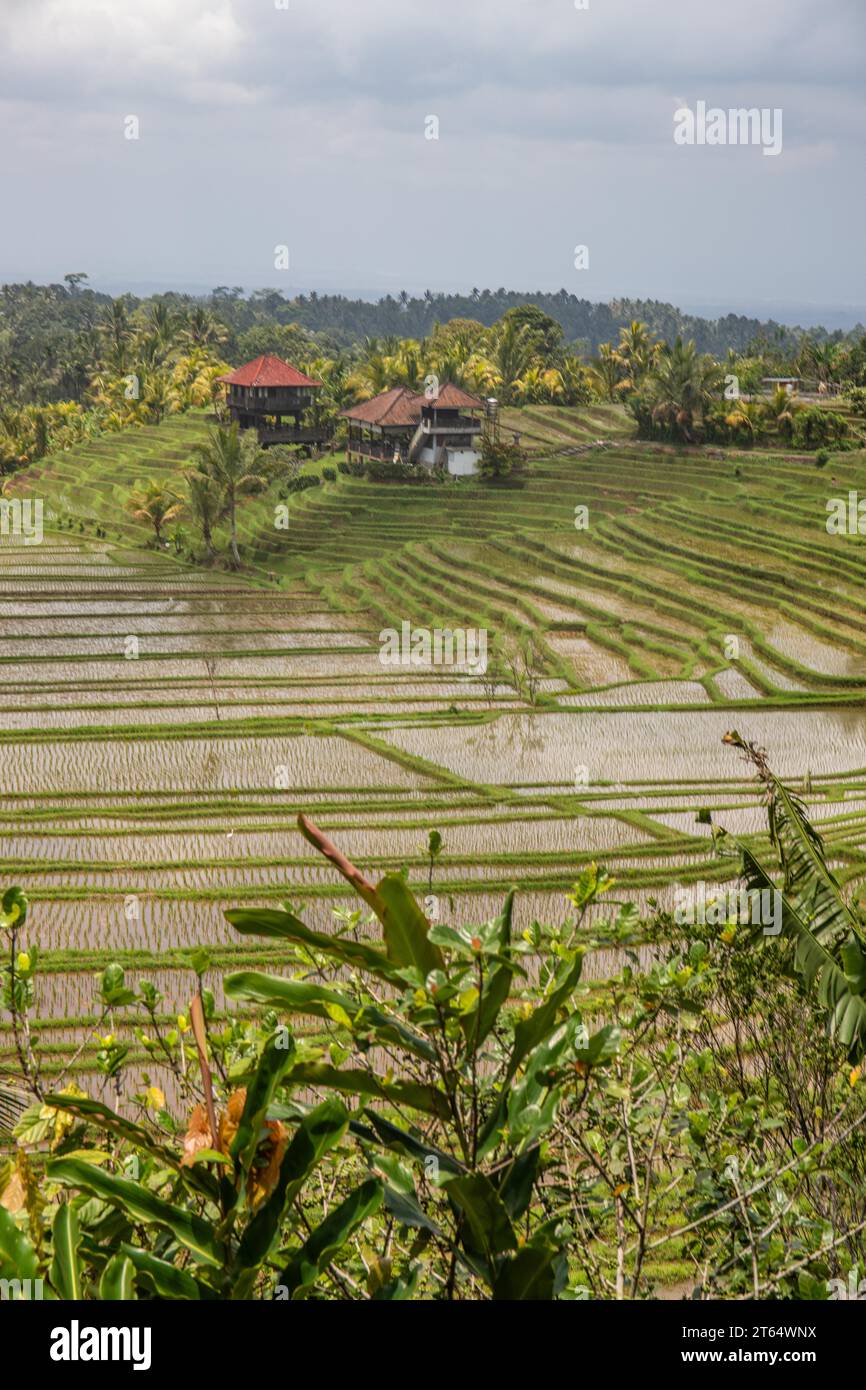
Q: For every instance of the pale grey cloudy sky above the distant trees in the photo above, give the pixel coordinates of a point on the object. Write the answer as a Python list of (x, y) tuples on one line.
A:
[(304, 124)]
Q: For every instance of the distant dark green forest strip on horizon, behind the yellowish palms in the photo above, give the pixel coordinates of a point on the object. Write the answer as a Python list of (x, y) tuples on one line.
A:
[(51, 336)]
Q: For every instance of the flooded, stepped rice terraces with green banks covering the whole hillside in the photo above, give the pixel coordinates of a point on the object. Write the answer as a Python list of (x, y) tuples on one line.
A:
[(147, 796)]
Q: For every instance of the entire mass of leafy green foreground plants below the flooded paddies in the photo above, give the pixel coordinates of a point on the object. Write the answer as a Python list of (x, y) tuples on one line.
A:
[(423, 1111)]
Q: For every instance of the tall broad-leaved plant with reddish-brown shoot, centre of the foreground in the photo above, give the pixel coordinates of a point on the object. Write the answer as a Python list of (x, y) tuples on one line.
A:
[(458, 1068)]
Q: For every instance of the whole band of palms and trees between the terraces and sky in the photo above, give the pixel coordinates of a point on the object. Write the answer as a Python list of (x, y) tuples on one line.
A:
[(76, 365)]
